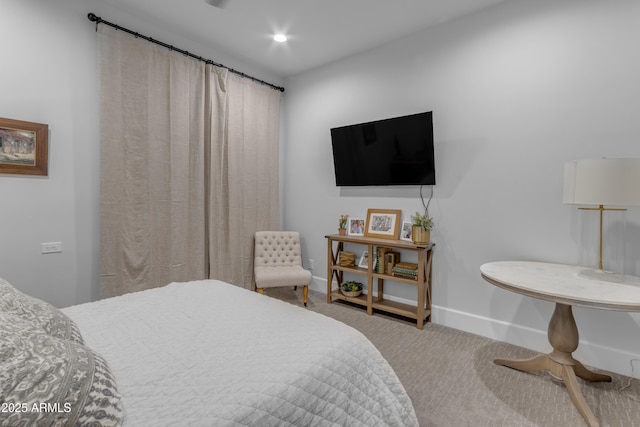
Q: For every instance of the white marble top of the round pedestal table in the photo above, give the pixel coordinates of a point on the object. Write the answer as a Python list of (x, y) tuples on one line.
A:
[(566, 284)]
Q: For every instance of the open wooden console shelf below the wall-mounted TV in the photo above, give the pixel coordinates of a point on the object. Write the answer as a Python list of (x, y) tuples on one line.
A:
[(421, 312)]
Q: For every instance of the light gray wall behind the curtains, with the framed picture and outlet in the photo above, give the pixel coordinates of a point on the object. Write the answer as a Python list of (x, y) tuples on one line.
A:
[(49, 74)]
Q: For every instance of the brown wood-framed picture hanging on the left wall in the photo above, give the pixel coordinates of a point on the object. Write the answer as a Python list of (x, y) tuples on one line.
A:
[(23, 147)]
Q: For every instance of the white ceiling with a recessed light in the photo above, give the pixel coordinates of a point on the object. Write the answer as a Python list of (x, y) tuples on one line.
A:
[(319, 31)]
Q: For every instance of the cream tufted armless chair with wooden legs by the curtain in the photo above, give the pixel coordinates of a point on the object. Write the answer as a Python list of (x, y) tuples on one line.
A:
[(277, 262)]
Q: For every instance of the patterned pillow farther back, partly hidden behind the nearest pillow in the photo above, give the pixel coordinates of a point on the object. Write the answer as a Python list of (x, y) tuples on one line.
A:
[(39, 313)]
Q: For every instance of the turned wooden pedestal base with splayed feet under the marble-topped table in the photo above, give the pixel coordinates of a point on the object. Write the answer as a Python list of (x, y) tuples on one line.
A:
[(563, 336)]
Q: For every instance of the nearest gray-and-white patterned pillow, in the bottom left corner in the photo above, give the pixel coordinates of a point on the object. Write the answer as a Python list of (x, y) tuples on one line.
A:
[(49, 381)]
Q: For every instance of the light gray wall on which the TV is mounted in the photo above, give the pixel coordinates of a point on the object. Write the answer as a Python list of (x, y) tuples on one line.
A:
[(516, 91)]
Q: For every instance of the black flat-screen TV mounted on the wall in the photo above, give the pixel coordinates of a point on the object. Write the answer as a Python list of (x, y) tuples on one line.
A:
[(396, 151)]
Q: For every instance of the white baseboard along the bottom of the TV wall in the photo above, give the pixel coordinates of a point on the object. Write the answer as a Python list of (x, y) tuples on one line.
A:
[(591, 354)]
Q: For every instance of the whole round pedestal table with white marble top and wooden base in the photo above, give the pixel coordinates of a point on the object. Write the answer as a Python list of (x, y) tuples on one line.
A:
[(566, 286)]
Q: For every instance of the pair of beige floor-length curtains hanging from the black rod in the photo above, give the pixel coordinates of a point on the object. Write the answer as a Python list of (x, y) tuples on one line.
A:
[(172, 184)]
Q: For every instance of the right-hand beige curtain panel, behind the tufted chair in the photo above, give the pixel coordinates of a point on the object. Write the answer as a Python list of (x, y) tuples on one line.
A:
[(244, 185)]
